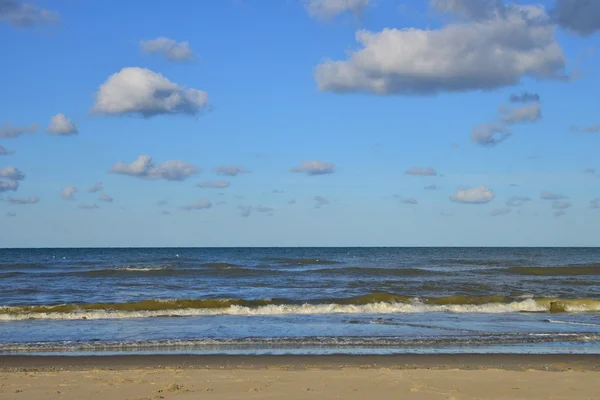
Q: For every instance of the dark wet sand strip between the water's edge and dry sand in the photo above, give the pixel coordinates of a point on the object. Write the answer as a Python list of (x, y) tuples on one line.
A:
[(508, 362)]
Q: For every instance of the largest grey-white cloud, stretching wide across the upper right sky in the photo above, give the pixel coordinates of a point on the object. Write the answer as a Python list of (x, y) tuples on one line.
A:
[(500, 48)]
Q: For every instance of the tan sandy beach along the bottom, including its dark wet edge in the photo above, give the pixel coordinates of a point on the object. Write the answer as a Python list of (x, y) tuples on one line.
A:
[(326, 377)]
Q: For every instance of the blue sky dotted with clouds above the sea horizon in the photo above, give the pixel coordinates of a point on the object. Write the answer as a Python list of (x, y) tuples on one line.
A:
[(299, 123)]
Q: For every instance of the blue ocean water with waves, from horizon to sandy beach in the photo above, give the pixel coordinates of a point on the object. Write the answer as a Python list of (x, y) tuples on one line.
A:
[(299, 300)]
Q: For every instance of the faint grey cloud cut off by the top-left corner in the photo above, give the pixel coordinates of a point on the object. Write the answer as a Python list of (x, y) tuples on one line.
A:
[(24, 15)]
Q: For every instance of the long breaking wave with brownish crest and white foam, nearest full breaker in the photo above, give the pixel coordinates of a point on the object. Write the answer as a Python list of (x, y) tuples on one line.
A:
[(376, 303)]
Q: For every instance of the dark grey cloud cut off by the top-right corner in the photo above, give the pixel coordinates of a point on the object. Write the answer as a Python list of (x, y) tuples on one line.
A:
[(579, 16)]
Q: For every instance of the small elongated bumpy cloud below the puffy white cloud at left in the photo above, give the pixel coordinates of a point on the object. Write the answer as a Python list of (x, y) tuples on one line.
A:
[(144, 167)]
